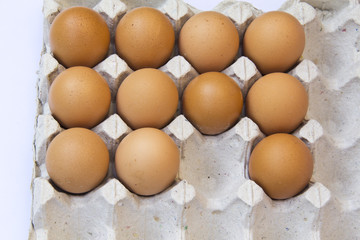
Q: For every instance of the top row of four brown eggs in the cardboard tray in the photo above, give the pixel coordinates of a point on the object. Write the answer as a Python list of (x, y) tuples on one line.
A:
[(145, 38)]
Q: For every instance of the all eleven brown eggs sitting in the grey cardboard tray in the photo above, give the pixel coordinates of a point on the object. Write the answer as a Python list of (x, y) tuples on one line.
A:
[(147, 160)]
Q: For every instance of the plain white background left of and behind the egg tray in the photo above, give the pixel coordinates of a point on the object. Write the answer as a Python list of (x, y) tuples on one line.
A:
[(20, 46)]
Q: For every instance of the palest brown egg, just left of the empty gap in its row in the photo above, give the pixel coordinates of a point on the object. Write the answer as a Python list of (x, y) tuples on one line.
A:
[(147, 161)]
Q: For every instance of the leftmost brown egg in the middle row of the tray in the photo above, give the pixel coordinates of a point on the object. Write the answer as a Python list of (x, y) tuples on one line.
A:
[(79, 97)]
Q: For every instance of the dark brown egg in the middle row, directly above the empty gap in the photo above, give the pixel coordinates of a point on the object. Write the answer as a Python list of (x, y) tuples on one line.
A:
[(212, 102)]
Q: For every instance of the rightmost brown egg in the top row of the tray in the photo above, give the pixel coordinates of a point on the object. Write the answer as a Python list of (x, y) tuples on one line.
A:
[(274, 42)]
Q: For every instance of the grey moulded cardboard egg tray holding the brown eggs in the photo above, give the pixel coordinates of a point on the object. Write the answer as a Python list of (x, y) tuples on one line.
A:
[(213, 197)]
